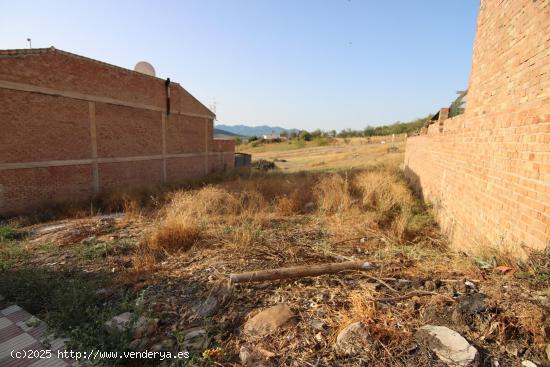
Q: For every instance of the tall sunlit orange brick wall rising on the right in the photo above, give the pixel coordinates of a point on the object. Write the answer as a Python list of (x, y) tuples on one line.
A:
[(488, 171)]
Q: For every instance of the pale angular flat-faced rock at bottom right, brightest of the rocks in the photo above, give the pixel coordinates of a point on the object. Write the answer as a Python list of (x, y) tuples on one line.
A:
[(449, 346)]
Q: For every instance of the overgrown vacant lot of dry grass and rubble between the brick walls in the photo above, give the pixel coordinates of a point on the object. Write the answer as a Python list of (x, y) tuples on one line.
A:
[(166, 256)]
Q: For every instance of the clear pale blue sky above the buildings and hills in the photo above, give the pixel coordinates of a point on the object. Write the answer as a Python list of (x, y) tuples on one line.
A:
[(328, 64)]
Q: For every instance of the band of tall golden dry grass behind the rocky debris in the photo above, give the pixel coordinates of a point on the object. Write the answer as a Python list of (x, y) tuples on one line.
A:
[(236, 211)]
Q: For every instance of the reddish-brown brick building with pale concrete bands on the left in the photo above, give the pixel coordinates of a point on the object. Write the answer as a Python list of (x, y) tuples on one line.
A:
[(72, 127)]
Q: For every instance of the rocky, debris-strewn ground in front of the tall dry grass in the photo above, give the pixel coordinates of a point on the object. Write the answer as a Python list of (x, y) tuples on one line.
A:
[(418, 307)]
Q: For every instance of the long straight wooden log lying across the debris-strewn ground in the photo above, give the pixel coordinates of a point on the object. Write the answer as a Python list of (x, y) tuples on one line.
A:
[(298, 271)]
